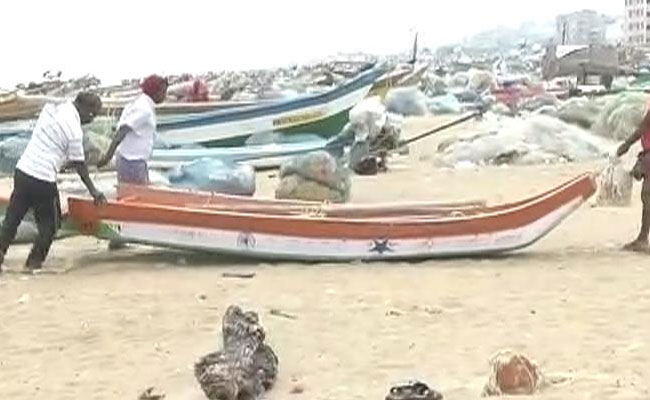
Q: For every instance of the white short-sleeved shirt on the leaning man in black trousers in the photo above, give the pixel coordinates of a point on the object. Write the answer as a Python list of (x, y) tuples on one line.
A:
[(56, 137)]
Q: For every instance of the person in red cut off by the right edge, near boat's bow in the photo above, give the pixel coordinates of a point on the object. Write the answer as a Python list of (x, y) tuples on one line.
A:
[(641, 171)]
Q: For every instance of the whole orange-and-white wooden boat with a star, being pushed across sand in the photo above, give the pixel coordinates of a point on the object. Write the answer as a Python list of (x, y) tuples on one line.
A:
[(308, 231)]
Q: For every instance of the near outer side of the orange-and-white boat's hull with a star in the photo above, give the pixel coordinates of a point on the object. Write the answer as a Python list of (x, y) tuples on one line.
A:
[(492, 230)]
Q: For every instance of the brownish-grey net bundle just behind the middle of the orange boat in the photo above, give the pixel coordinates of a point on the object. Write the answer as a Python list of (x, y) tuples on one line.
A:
[(315, 176)]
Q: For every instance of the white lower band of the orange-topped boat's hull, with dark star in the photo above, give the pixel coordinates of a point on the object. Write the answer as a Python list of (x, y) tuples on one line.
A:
[(333, 249)]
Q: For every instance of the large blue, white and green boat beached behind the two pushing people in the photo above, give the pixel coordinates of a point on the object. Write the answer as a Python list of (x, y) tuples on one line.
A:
[(324, 114)]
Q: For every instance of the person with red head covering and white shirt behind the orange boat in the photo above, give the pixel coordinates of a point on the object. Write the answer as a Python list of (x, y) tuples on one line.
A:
[(134, 139)]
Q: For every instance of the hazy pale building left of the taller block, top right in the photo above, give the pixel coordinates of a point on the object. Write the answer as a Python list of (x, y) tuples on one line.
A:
[(582, 28)]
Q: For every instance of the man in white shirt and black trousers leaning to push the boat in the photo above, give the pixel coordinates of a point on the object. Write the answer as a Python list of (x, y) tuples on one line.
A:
[(56, 138)]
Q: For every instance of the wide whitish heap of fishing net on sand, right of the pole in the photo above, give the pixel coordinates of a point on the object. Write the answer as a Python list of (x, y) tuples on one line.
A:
[(537, 139)]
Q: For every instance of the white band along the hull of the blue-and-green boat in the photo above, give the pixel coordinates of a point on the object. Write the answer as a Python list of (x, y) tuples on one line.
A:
[(243, 128)]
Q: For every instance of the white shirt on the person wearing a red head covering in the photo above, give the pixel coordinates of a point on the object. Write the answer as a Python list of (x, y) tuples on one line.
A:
[(140, 116)]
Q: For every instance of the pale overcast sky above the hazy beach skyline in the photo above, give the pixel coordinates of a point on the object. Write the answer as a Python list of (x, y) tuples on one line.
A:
[(120, 38)]
